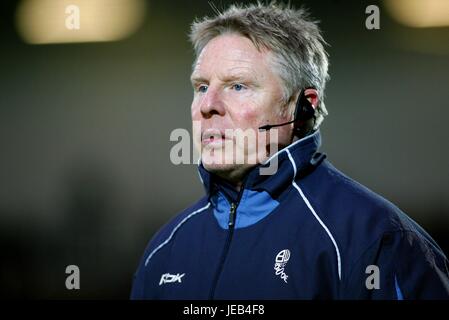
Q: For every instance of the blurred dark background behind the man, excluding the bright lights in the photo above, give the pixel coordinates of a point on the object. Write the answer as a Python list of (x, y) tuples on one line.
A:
[(85, 173)]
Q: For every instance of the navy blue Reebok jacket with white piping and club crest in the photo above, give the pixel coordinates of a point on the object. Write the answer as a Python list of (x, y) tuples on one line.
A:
[(305, 232)]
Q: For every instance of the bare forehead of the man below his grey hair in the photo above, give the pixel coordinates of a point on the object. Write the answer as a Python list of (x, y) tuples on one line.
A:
[(228, 54)]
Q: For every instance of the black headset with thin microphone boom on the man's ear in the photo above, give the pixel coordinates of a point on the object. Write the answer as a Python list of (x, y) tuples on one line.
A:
[(304, 113)]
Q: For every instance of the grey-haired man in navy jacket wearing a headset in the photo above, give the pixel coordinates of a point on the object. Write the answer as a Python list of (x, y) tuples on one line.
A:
[(306, 230)]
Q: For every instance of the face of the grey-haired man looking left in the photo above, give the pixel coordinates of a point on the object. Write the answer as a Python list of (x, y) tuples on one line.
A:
[(235, 88)]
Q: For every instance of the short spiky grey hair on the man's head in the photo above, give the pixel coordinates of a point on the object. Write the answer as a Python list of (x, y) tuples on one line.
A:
[(295, 41)]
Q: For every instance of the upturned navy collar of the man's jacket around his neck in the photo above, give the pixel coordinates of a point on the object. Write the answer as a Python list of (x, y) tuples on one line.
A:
[(303, 154)]
